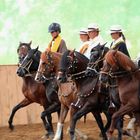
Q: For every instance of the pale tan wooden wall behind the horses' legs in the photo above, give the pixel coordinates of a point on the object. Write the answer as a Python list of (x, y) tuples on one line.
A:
[(11, 95)]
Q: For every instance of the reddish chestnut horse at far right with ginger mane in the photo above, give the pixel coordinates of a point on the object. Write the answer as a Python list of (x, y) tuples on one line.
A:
[(118, 65)]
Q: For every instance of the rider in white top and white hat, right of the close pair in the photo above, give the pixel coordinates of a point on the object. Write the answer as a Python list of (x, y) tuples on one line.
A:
[(95, 38)]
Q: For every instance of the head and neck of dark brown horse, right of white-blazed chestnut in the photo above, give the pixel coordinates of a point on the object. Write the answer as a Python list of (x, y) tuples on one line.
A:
[(72, 62)]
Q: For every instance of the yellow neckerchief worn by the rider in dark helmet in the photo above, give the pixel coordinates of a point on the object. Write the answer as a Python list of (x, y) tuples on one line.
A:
[(54, 47)]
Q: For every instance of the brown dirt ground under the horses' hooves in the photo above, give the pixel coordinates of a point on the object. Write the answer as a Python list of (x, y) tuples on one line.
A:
[(36, 131)]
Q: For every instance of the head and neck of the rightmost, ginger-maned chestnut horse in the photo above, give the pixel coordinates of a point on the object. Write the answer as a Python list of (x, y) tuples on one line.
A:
[(116, 64)]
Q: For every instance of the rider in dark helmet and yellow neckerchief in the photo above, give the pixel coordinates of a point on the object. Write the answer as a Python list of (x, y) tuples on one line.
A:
[(57, 44)]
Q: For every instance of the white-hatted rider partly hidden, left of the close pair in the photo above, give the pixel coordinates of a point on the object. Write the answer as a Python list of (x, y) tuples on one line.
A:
[(84, 37)]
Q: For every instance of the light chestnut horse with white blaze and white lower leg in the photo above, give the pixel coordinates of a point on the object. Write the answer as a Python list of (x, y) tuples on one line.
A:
[(49, 68)]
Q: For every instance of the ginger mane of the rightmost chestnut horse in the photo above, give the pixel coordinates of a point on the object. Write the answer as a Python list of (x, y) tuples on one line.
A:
[(113, 56)]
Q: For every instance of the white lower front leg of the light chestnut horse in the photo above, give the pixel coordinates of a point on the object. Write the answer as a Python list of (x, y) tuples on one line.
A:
[(58, 131)]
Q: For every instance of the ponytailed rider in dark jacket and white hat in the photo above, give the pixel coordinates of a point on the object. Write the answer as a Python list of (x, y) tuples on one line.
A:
[(118, 37)]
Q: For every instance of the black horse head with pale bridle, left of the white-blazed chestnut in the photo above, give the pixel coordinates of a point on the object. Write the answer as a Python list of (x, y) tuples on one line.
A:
[(30, 63)]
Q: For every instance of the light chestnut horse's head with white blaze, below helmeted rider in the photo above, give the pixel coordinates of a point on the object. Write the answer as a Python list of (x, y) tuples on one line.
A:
[(48, 66)]
